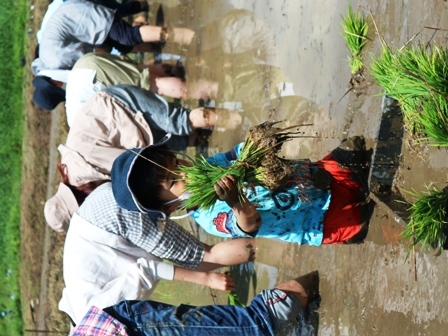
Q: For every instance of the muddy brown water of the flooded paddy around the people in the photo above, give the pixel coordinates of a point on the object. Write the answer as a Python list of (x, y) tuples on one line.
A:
[(286, 60)]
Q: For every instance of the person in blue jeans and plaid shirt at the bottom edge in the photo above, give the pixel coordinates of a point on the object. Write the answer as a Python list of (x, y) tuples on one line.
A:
[(286, 309)]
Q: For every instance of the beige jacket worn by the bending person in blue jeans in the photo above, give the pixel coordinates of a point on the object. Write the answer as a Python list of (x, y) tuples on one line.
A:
[(102, 130)]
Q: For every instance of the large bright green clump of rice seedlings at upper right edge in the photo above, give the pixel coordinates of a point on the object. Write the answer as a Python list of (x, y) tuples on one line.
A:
[(418, 79)]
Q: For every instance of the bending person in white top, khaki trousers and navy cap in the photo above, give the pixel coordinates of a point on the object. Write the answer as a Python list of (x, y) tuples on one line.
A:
[(94, 72)]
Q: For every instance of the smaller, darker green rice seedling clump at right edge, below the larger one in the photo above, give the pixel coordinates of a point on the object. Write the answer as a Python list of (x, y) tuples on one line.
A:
[(427, 219)]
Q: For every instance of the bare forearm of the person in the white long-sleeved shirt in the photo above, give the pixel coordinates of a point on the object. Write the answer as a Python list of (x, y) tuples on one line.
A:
[(220, 281)]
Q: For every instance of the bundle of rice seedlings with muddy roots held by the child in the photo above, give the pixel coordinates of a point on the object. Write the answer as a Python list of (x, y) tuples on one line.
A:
[(257, 164)]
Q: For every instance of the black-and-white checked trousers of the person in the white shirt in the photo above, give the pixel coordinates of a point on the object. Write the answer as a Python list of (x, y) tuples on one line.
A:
[(170, 242)]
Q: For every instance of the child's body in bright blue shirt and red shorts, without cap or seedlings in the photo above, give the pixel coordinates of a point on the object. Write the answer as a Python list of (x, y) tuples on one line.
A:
[(323, 203)]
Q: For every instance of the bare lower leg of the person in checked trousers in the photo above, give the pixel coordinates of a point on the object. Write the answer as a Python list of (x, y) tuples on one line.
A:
[(228, 253)]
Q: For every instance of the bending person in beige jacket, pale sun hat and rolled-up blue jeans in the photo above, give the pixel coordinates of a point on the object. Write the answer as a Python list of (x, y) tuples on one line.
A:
[(118, 118)]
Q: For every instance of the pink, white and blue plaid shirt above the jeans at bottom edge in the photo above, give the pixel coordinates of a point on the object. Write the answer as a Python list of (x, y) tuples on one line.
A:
[(98, 323)]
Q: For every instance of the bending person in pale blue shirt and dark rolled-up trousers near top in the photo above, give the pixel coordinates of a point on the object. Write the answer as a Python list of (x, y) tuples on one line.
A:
[(79, 26)]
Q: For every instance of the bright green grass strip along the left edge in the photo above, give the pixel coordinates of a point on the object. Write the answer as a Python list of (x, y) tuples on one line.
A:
[(13, 16)]
